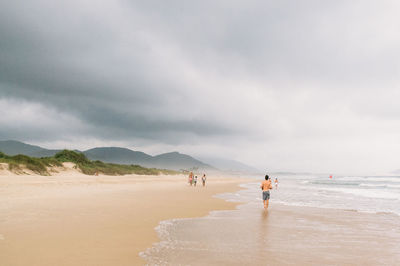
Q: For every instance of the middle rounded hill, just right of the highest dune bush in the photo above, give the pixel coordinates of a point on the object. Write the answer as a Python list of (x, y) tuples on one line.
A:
[(118, 155)]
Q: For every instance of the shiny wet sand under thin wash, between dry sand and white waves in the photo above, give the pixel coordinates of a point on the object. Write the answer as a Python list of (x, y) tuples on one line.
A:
[(283, 235)]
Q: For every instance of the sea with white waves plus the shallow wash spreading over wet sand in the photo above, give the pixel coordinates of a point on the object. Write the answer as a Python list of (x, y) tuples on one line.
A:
[(312, 220)]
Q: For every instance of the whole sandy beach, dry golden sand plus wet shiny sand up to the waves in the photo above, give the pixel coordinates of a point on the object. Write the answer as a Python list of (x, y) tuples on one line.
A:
[(75, 219)]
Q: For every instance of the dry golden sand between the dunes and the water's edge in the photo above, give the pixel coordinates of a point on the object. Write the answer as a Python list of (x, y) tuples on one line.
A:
[(74, 219)]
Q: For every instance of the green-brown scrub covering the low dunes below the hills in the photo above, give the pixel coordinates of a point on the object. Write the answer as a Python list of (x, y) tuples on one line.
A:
[(40, 165)]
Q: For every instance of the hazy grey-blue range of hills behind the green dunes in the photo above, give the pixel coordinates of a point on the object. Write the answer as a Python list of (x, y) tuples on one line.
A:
[(172, 160)]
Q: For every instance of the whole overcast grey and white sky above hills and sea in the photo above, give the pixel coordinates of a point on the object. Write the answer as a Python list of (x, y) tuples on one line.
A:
[(280, 85)]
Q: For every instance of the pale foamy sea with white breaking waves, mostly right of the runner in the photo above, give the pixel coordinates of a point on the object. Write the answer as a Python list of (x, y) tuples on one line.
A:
[(360, 193)]
